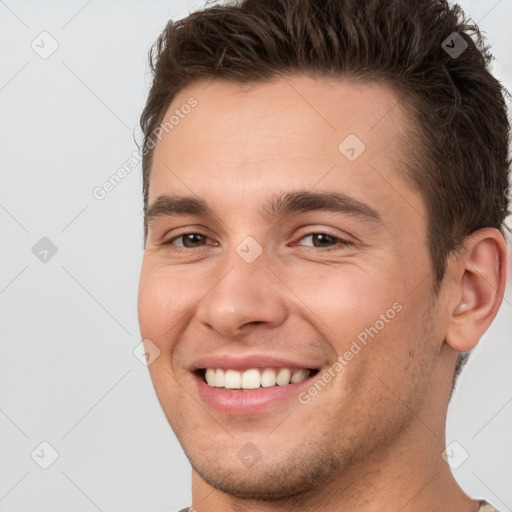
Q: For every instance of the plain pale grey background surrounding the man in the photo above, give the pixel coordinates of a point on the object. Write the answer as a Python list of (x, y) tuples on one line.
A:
[(68, 375)]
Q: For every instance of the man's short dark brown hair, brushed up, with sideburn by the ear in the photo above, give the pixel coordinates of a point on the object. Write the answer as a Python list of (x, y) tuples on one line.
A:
[(461, 160)]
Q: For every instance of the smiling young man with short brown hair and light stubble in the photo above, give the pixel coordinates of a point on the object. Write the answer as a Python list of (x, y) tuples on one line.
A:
[(325, 187)]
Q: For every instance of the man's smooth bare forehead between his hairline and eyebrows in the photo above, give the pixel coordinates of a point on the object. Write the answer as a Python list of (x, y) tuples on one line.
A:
[(291, 133)]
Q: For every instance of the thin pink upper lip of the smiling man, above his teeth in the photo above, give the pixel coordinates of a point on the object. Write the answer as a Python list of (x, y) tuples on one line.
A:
[(246, 362)]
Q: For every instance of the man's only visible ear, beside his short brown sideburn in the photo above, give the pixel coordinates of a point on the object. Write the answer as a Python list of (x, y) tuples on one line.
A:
[(478, 275)]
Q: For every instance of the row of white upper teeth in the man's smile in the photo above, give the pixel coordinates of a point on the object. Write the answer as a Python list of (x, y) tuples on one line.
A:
[(253, 378)]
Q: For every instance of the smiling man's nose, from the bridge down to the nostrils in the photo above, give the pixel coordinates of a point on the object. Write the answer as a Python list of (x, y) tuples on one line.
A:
[(246, 294)]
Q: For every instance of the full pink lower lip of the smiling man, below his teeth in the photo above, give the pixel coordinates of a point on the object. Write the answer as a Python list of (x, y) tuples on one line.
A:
[(251, 401)]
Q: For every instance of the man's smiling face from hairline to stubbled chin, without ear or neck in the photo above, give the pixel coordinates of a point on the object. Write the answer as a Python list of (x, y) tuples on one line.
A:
[(276, 243)]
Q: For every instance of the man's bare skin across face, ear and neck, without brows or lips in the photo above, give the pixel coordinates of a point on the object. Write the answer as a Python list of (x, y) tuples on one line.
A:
[(373, 438)]
